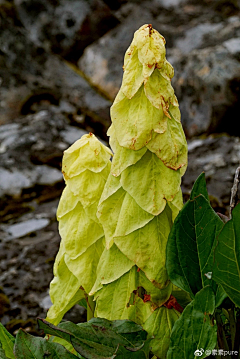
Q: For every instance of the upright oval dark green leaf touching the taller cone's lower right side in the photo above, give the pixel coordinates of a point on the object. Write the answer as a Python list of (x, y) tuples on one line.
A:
[(190, 243)]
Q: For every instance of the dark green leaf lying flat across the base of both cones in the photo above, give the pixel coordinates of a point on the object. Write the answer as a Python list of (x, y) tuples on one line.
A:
[(100, 338)]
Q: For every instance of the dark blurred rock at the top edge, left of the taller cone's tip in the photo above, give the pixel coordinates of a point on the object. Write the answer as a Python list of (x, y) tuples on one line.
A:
[(65, 27)]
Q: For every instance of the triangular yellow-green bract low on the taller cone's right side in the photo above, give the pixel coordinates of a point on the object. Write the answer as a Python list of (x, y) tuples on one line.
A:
[(149, 255)]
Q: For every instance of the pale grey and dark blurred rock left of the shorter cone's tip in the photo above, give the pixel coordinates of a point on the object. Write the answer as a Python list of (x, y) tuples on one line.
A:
[(40, 139)]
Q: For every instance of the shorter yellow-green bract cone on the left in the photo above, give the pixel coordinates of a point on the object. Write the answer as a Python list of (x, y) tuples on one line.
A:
[(86, 166)]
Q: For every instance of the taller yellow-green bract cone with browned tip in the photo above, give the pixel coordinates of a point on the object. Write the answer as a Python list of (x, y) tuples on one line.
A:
[(142, 196)]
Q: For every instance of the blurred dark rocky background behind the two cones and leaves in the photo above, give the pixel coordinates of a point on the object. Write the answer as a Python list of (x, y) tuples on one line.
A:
[(60, 69)]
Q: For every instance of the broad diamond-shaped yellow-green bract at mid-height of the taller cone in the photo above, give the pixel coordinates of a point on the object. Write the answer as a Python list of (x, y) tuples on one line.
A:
[(158, 183)]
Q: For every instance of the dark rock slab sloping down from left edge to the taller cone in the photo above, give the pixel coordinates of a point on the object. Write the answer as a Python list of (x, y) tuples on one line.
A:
[(32, 79)]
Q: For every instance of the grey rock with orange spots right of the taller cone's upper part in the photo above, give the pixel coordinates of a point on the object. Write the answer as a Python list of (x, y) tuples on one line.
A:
[(207, 87)]
